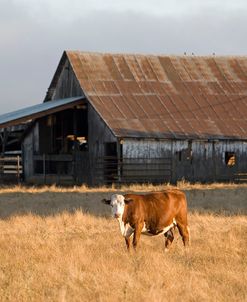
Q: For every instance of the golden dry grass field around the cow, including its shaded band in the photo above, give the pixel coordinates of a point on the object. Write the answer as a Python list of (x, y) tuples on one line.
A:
[(61, 245)]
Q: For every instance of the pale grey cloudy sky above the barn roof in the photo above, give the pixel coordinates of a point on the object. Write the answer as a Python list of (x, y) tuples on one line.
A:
[(34, 34)]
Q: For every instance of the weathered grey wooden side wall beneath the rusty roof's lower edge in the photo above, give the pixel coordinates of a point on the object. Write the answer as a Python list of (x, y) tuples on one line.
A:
[(203, 161)]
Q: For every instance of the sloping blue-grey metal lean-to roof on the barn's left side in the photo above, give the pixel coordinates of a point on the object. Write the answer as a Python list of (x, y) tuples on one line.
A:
[(36, 111)]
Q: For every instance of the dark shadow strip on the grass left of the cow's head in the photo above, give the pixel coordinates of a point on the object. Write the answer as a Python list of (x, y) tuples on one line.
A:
[(52, 203)]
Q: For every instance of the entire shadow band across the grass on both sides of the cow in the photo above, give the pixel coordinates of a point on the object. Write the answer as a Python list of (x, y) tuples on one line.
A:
[(224, 202)]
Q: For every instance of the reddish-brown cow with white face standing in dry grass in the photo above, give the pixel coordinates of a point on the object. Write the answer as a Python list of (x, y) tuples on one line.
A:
[(151, 214)]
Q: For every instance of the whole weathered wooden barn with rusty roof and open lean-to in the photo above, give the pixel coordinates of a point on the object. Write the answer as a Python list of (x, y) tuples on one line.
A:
[(126, 118)]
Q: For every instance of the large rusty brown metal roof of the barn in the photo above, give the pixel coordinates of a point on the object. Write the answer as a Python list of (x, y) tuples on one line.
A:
[(166, 96)]
